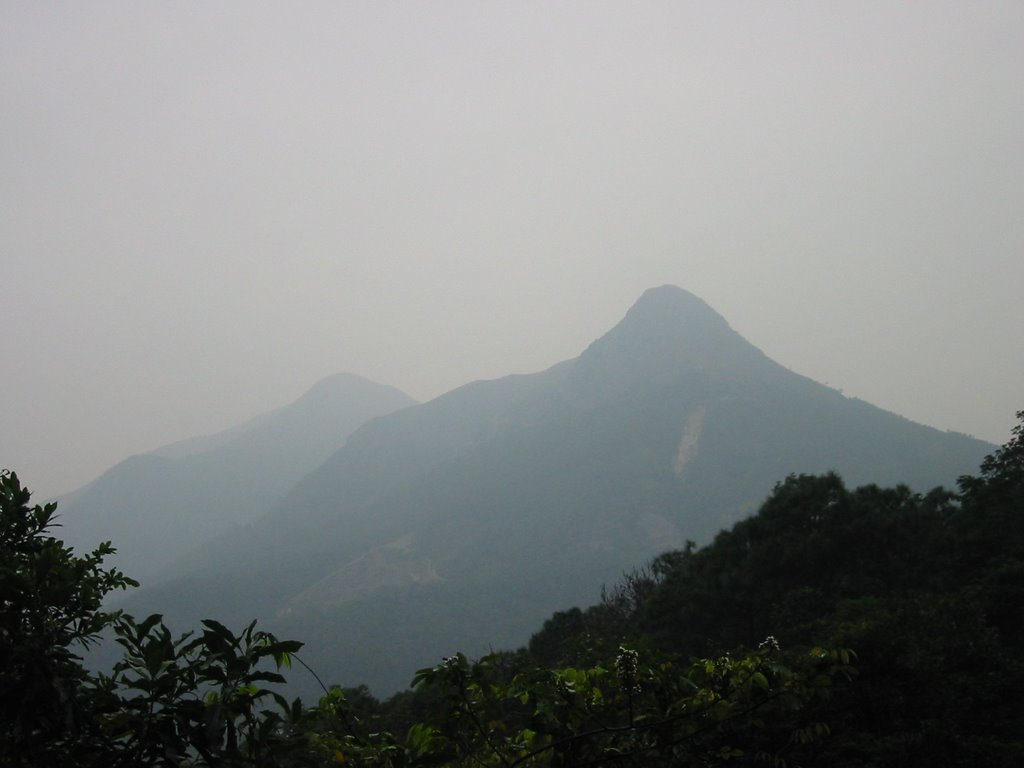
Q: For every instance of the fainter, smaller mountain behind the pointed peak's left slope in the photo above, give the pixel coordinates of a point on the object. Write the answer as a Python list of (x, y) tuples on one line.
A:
[(158, 506)]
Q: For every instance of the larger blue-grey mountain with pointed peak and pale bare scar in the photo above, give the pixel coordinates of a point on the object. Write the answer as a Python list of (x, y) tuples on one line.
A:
[(463, 523)]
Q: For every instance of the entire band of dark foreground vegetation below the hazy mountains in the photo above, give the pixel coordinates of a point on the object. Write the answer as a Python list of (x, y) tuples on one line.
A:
[(732, 655)]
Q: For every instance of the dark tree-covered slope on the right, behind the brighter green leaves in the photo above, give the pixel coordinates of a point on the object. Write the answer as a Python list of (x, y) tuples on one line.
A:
[(928, 589)]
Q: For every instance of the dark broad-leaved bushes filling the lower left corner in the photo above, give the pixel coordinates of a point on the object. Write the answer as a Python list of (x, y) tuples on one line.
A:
[(168, 702)]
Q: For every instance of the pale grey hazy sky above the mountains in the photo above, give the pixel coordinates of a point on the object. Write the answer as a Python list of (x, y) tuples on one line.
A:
[(207, 207)]
